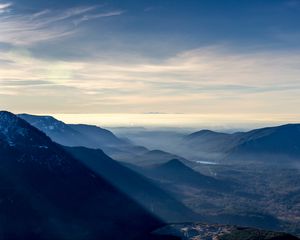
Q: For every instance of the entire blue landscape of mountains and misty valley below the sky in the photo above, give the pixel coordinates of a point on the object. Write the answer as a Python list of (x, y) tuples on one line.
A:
[(68, 181)]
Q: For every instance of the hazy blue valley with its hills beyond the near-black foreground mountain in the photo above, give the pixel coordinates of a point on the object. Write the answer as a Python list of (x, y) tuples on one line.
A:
[(245, 178)]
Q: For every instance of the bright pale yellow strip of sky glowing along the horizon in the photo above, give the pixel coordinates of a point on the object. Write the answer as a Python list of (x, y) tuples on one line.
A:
[(184, 122)]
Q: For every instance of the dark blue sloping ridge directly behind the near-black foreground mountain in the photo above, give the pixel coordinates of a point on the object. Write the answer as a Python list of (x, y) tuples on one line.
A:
[(139, 188)]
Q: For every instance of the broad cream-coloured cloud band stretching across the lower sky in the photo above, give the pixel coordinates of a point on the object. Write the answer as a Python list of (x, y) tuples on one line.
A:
[(205, 80)]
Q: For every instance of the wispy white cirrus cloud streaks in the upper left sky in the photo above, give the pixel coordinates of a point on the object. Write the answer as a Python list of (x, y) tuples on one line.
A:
[(44, 25)]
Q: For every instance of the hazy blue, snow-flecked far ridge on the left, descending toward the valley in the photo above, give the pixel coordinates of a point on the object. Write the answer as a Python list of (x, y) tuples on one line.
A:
[(81, 135)]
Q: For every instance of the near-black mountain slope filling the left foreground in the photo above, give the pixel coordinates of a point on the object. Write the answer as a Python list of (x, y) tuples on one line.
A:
[(46, 193)]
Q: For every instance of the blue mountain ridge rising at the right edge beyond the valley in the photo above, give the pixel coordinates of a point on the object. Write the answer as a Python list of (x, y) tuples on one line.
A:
[(270, 145)]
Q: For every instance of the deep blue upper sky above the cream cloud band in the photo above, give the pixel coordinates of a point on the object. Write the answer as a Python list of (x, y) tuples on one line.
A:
[(184, 25)]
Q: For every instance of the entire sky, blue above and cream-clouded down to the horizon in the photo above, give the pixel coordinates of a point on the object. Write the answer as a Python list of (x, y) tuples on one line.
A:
[(233, 58)]
